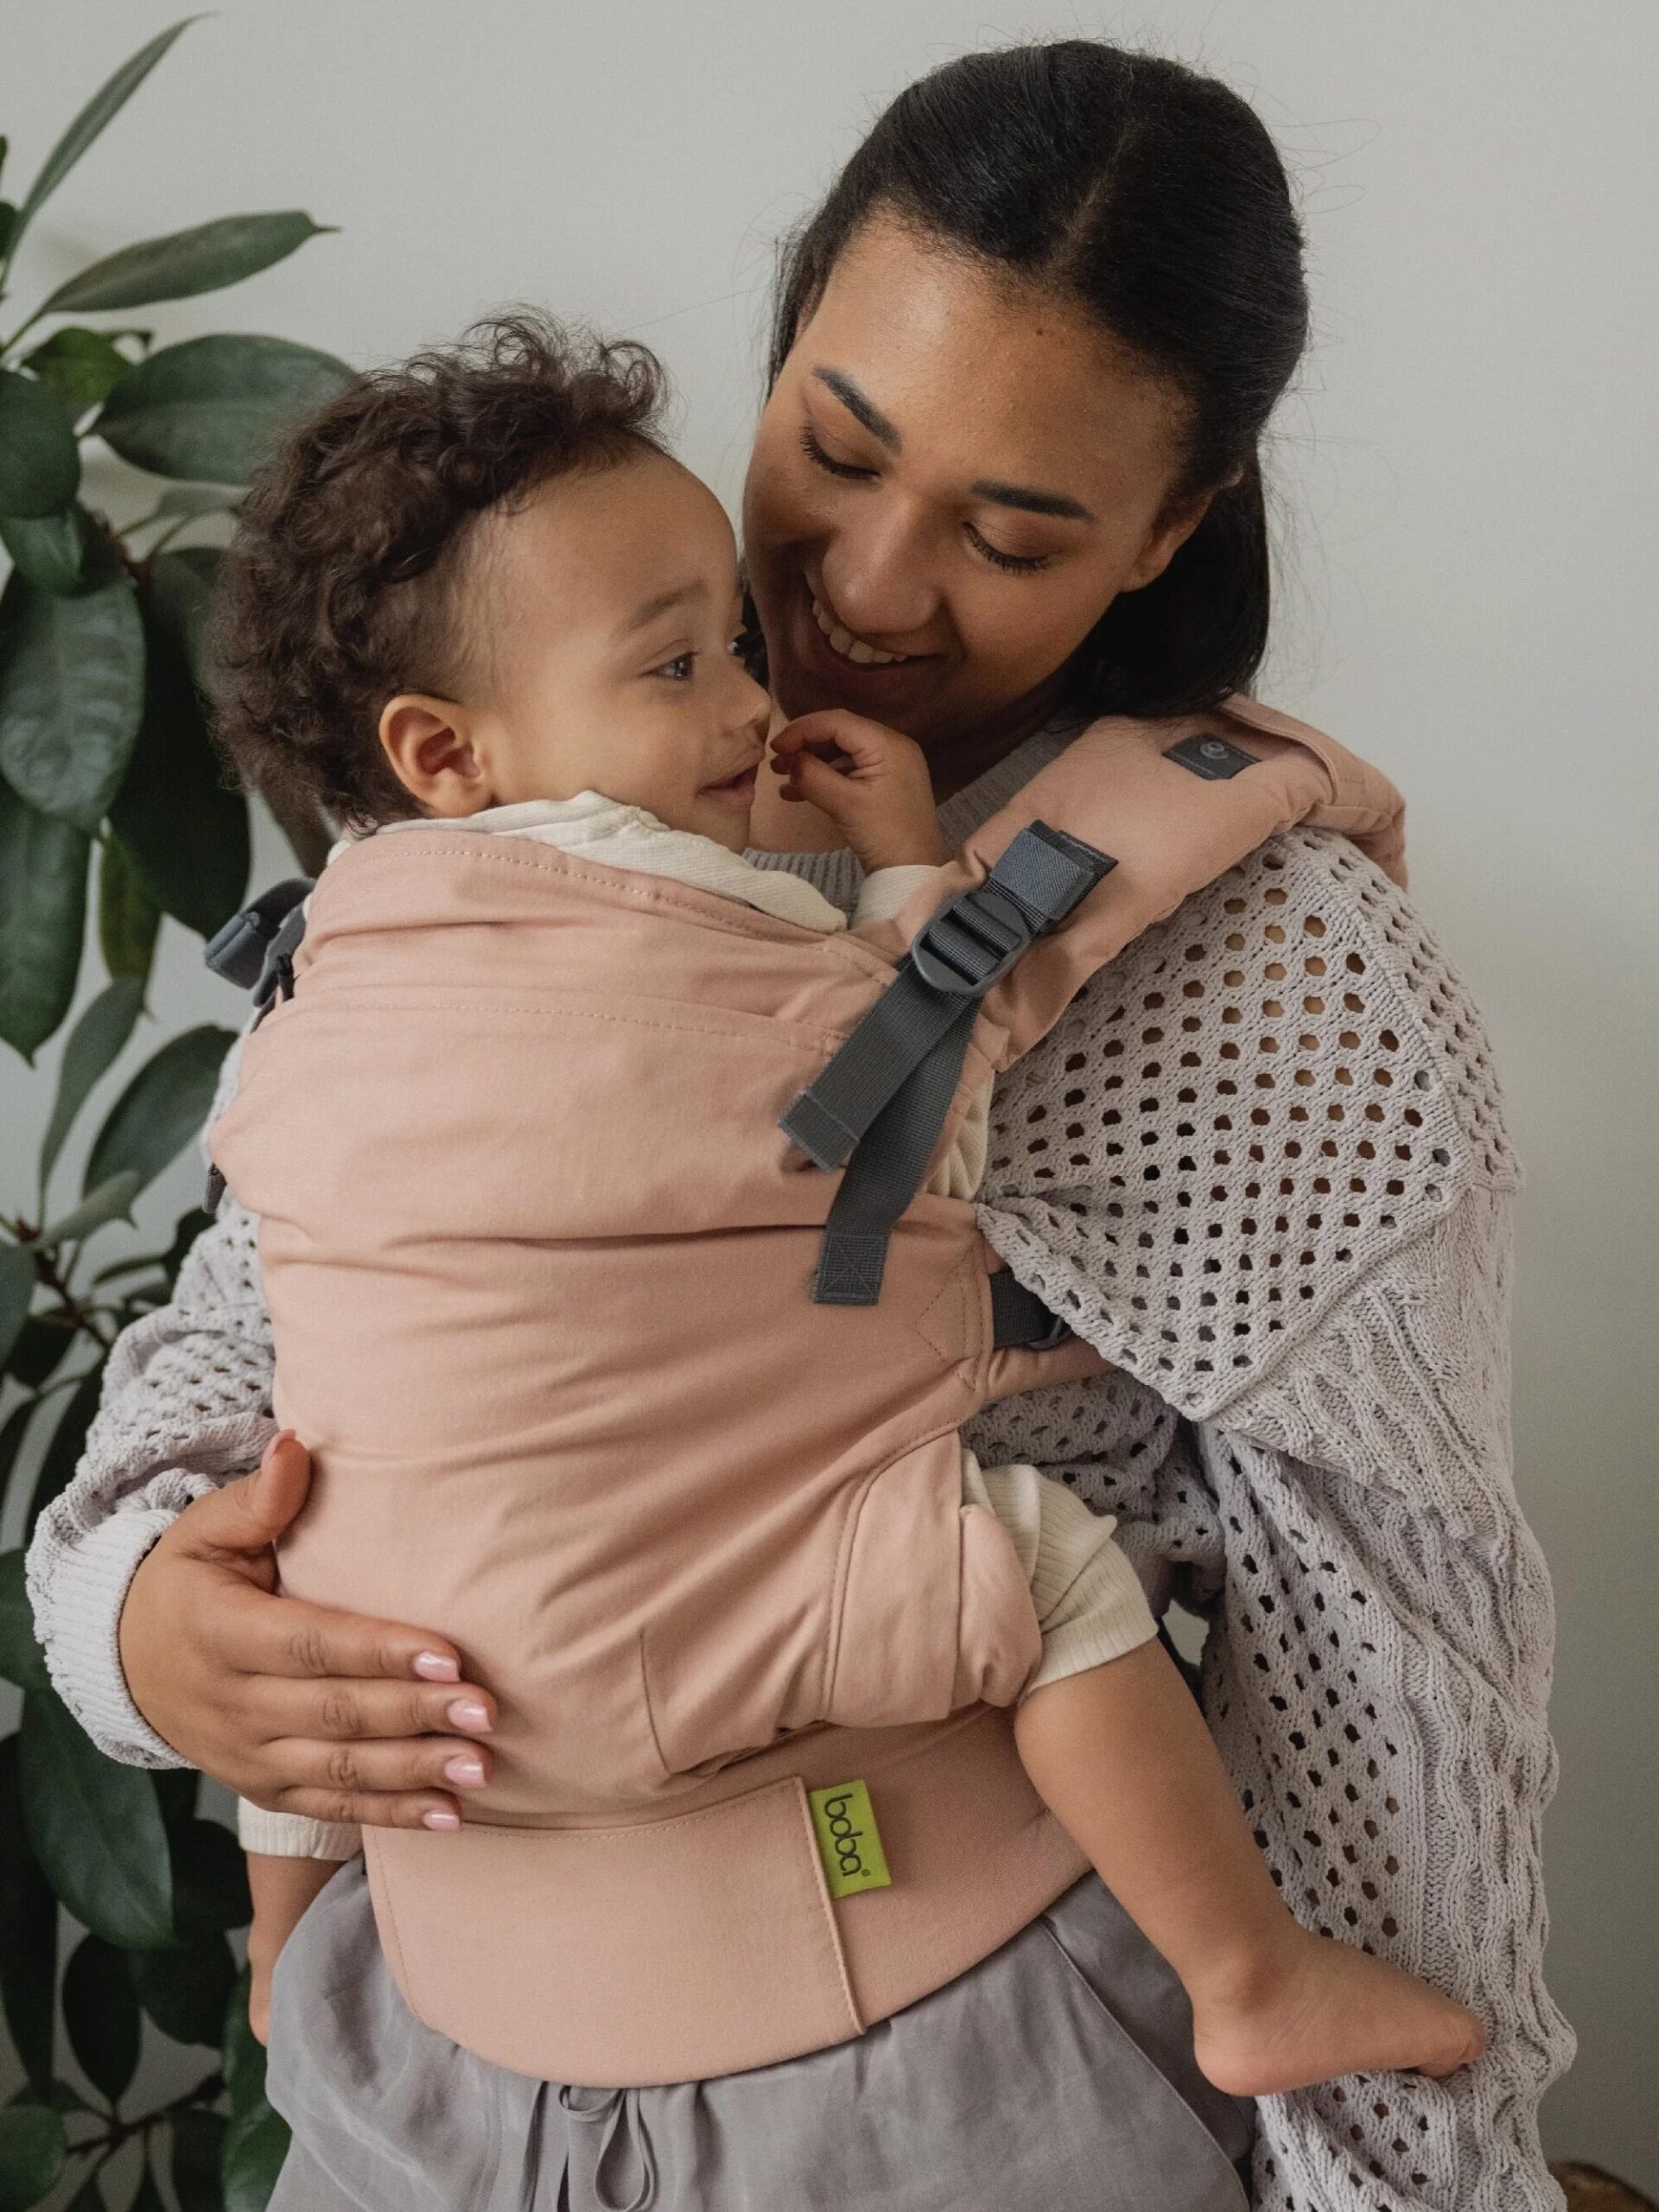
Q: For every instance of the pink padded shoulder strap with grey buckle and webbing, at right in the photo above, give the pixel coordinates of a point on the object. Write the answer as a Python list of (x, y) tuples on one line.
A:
[(1103, 844)]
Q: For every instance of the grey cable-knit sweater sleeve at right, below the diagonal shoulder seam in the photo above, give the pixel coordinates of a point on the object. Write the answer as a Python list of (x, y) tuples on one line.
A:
[(1377, 1680)]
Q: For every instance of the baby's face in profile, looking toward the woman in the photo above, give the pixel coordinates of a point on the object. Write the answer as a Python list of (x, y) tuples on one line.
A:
[(601, 629)]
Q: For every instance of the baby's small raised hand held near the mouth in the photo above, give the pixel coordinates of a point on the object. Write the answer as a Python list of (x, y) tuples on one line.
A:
[(868, 780)]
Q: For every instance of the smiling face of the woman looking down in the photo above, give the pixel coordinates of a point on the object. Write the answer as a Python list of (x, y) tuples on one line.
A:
[(952, 481)]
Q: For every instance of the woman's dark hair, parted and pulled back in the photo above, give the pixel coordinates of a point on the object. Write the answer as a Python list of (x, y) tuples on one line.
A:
[(1154, 200)]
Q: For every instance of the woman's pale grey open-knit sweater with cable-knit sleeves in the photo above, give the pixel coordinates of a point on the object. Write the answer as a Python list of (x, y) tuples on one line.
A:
[(1262, 1165)]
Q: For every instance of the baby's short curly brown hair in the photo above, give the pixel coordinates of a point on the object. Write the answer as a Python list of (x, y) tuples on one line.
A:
[(340, 589)]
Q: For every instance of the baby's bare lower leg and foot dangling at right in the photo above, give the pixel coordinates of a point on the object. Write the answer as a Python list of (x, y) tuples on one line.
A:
[(1123, 1757)]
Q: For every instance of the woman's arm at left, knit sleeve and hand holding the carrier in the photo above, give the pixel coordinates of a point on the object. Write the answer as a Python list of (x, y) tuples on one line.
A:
[(154, 1576)]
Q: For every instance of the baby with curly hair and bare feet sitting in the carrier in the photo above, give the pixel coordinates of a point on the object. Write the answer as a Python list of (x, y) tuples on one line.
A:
[(543, 643)]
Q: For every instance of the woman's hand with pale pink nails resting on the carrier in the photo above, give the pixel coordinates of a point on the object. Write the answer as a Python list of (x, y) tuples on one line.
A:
[(295, 1707)]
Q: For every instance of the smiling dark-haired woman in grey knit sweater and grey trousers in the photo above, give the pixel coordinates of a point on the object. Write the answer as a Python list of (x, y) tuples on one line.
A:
[(1008, 481)]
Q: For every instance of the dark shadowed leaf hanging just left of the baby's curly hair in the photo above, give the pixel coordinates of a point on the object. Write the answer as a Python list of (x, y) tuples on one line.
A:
[(176, 815)]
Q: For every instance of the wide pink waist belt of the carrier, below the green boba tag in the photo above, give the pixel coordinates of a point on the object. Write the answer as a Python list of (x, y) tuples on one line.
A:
[(709, 1943)]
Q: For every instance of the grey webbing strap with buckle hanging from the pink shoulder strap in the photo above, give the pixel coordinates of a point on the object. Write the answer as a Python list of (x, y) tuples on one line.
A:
[(881, 1100)]
